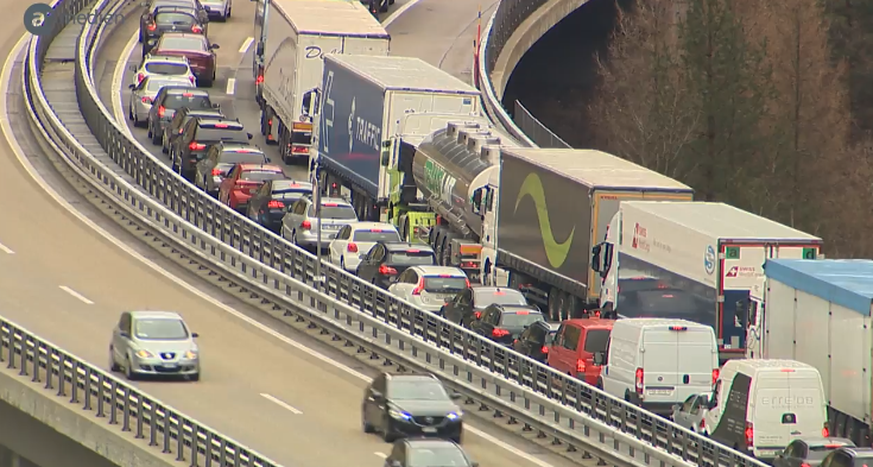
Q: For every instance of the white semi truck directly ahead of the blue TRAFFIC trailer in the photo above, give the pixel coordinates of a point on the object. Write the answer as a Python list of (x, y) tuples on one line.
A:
[(293, 36)]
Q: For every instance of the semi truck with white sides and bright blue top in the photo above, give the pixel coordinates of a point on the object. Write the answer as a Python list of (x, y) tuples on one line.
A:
[(819, 312)]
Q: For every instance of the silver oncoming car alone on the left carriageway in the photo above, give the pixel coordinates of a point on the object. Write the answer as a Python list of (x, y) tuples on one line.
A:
[(154, 343)]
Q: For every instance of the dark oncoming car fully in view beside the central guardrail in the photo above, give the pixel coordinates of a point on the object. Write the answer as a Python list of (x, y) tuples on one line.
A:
[(402, 405)]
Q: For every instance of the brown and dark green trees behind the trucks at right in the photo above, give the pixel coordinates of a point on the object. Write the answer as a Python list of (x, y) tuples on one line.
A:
[(763, 104)]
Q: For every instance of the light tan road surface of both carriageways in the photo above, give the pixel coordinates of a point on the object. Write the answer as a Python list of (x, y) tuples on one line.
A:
[(66, 278)]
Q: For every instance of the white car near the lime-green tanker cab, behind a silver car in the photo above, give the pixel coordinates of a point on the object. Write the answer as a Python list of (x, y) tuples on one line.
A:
[(356, 239)]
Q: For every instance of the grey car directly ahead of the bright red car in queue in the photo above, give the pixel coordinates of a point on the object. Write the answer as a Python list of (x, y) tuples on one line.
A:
[(220, 158)]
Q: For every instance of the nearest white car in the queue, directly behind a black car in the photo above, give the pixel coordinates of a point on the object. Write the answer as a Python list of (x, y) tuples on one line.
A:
[(428, 287)]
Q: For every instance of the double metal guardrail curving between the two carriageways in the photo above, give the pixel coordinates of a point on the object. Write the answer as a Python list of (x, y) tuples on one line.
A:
[(356, 312)]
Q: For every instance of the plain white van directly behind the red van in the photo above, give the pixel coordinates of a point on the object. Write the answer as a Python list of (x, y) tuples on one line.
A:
[(656, 363)]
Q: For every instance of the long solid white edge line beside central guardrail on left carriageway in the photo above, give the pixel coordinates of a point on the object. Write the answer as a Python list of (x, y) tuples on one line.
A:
[(31, 171)]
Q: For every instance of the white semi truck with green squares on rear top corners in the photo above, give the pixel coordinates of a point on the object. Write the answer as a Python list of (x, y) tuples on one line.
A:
[(692, 260)]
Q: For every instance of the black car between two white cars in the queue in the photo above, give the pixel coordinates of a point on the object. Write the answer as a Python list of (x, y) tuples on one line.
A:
[(385, 261)]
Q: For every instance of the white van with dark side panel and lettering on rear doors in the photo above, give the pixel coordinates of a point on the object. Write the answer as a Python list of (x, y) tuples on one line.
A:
[(760, 406)]
